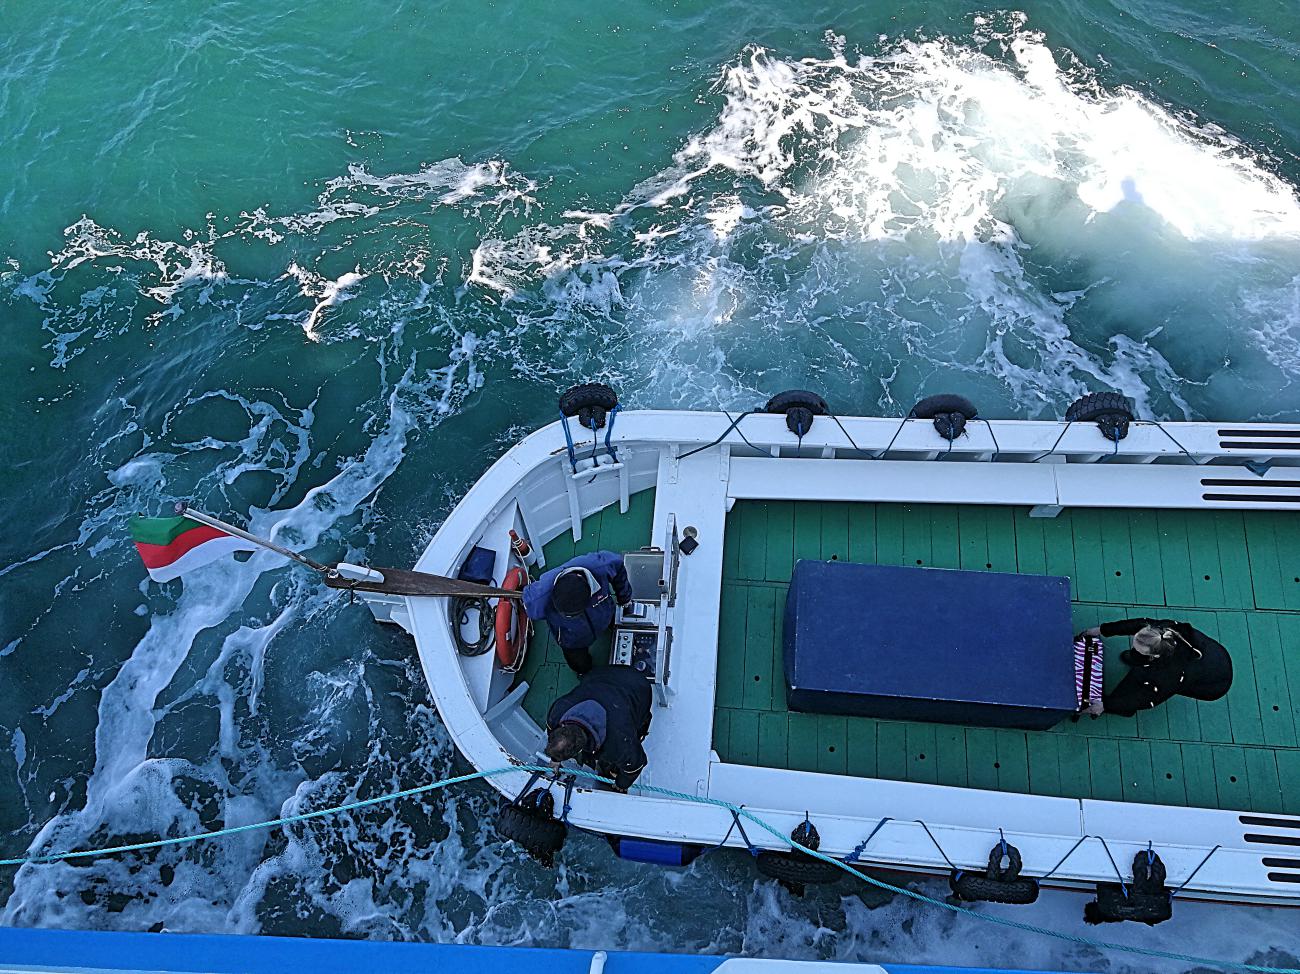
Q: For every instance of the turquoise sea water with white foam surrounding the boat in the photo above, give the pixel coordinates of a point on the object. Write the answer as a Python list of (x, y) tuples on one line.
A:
[(315, 266)]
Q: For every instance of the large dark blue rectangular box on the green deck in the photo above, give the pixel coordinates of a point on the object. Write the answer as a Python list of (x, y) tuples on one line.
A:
[(930, 644)]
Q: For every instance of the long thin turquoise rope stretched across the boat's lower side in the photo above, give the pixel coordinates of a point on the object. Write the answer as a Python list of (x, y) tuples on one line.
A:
[(738, 813)]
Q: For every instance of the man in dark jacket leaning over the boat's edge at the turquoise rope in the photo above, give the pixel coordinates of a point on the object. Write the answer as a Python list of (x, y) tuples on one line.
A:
[(603, 722)]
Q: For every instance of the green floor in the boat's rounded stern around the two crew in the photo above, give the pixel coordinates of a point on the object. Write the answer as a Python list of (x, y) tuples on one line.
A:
[(545, 669)]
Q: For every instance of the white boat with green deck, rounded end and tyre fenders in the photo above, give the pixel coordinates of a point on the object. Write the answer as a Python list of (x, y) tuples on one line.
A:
[(1193, 521)]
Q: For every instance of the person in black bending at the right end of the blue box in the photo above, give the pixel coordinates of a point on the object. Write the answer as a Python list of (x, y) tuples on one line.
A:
[(1168, 659)]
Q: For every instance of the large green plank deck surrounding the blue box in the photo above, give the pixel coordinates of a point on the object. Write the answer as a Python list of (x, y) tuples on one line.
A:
[(1236, 575)]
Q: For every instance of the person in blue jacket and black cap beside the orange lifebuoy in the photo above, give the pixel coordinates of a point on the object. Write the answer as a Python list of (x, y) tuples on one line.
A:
[(578, 600)]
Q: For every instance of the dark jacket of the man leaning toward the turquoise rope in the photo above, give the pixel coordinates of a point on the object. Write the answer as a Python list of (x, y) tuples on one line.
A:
[(626, 696)]
